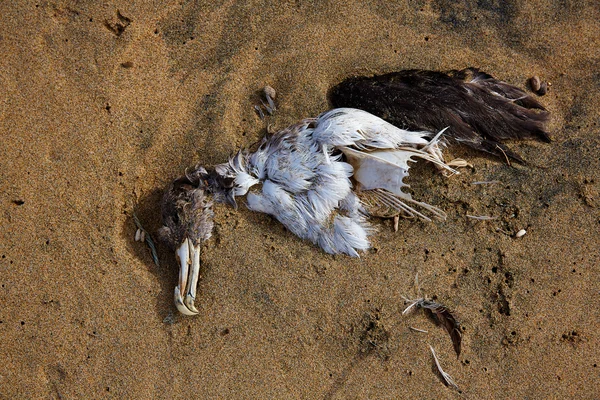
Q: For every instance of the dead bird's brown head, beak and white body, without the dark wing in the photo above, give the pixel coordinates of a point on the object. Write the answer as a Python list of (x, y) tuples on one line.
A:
[(321, 178)]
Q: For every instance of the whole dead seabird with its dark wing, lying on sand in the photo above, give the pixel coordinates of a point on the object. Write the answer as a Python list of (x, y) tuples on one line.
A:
[(323, 177)]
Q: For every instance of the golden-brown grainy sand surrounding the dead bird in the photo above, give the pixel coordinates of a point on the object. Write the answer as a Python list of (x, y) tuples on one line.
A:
[(102, 104)]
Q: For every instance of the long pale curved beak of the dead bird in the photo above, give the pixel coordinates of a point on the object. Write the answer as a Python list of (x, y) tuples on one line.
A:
[(188, 255)]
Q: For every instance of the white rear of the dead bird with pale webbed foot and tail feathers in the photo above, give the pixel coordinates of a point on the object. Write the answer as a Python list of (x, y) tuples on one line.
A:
[(379, 153)]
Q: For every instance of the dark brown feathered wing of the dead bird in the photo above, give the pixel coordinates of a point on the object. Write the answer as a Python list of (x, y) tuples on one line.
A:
[(479, 110)]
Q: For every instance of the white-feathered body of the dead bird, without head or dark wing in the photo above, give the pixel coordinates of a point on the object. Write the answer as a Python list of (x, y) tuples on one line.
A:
[(307, 187)]
